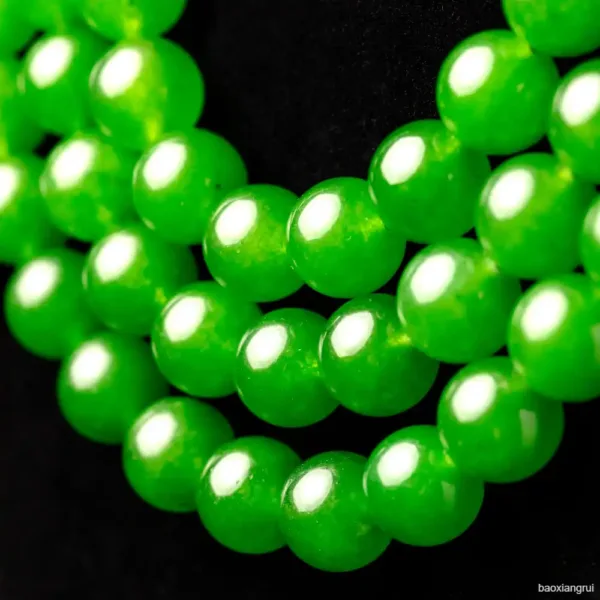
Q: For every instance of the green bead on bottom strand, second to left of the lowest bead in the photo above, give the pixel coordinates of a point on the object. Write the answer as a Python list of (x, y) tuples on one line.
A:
[(167, 448)]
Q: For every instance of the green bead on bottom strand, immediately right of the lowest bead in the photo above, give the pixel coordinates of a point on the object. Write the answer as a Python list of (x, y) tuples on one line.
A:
[(416, 493)]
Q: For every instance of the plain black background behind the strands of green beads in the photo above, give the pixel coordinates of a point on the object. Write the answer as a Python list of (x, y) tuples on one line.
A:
[(306, 90)]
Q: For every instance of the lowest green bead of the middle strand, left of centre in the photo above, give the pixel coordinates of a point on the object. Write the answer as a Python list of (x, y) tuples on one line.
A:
[(277, 373)]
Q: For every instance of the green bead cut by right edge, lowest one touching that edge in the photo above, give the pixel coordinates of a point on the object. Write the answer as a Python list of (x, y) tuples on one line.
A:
[(553, 338)]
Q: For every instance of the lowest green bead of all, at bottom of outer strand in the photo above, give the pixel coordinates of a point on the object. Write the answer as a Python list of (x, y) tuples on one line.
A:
[(324, 514)]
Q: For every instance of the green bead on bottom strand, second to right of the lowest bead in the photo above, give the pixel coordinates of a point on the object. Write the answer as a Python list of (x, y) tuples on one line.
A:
[(494, 426)]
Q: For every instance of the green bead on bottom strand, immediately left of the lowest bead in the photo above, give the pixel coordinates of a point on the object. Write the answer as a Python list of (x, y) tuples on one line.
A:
[(239, 494)]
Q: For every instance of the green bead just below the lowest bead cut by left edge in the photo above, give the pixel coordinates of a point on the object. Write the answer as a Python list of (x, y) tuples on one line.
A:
[(45, 306)]
